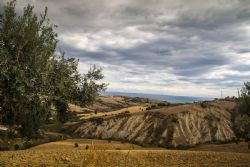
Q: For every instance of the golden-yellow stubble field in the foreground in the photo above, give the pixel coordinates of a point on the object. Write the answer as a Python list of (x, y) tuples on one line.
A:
[(102, 154)]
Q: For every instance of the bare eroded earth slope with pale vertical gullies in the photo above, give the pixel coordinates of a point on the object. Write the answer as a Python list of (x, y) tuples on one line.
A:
[(167, 126)]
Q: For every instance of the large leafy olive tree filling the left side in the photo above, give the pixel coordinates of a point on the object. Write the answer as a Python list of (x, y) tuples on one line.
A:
[(33, 77)]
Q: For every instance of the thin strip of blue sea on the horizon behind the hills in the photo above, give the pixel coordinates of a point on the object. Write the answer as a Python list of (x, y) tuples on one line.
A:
[(168, 98)]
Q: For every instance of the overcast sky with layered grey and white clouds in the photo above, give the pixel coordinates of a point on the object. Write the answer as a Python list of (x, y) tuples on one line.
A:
[(174, 47)]
